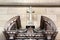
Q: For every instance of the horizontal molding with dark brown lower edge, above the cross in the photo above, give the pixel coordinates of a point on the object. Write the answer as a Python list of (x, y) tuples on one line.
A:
[(13, 4)]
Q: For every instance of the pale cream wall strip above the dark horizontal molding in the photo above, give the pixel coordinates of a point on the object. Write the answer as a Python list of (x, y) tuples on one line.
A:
[(30, 1)]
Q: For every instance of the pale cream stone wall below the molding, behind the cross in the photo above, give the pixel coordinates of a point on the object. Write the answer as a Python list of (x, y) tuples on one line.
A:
[(8, 12)]
